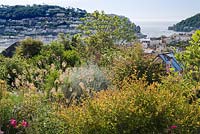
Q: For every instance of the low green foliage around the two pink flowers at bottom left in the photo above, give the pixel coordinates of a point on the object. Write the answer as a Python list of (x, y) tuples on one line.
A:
[(40, 115)]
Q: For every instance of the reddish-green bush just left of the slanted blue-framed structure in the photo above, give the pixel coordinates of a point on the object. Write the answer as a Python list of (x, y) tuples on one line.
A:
[(131, 60)]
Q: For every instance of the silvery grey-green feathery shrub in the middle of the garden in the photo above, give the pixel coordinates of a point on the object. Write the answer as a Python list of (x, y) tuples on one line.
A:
[(81, 80)]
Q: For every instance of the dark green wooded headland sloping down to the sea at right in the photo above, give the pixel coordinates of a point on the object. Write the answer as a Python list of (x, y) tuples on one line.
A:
[(187, 25)]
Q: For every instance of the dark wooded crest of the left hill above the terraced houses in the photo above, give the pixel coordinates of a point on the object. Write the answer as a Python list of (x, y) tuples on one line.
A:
[(22, 12)]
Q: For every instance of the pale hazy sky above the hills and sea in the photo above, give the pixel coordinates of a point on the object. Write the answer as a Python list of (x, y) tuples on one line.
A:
[(136, 10)]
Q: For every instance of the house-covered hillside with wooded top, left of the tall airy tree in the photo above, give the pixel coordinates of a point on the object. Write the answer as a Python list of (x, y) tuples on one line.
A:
[(39, 20)]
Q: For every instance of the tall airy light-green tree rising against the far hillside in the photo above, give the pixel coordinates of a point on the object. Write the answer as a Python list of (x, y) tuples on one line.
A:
[(103, 31)]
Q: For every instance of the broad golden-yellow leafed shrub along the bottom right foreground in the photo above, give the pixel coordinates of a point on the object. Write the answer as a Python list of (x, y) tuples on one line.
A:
[(138, 108)]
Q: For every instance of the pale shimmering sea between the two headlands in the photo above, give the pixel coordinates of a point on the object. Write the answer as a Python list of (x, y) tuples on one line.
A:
[(156, 28)]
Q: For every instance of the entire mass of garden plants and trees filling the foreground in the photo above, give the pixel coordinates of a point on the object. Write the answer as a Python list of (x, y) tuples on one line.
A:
[(90, 84)]
